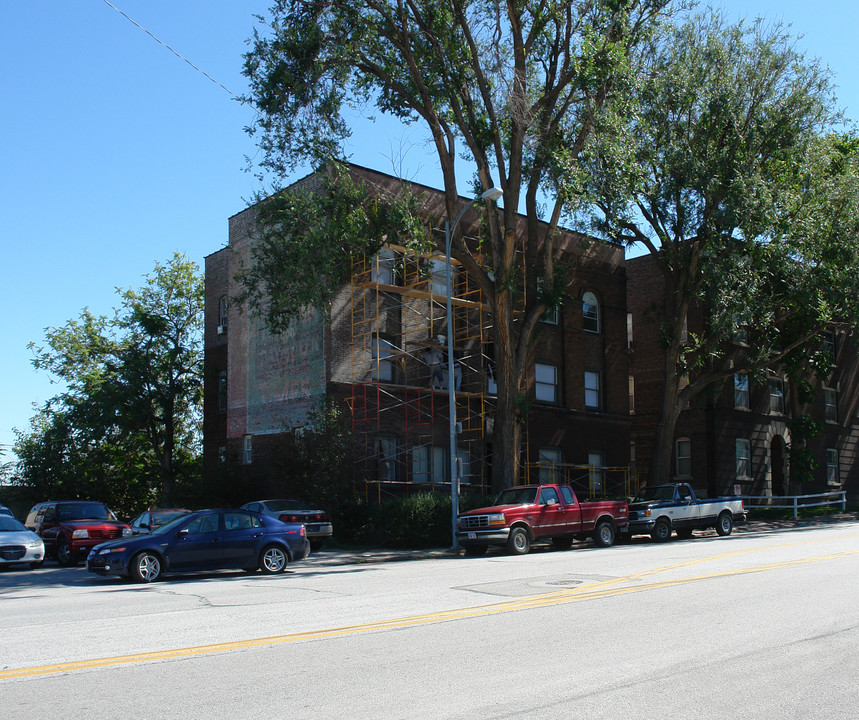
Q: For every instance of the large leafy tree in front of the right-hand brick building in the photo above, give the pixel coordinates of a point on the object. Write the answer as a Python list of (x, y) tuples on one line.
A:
[(735, 185)]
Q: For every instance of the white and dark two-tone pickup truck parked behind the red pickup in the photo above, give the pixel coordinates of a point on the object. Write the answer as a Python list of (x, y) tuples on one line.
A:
[(659, 510)]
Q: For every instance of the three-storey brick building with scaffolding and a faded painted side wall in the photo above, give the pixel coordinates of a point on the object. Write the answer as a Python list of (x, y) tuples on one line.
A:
[(381, 353)]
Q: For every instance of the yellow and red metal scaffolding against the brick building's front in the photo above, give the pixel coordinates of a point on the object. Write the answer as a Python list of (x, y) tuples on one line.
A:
[(399, 372)]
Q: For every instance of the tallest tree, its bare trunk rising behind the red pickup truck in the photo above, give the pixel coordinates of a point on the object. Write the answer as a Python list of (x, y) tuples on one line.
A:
[(512, 90)]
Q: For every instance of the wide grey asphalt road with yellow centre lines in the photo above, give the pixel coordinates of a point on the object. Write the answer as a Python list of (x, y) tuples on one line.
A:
[(757, 625)]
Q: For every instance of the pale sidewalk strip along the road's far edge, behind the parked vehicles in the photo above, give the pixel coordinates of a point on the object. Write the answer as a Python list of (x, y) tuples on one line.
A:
[(335, 556)]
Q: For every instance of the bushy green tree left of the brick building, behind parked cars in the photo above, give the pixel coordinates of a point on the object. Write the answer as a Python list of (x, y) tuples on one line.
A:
[(127, 427)]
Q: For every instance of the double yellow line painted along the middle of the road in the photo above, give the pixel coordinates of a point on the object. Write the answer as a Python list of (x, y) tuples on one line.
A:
[(606, 588)]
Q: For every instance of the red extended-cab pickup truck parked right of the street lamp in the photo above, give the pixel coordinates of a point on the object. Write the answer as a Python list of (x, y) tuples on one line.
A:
[(528, 513)]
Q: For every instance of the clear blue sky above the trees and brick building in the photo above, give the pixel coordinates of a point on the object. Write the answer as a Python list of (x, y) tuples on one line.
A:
[(116, 153)]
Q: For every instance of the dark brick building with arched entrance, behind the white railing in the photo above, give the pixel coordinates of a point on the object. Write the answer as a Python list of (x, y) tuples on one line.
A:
[(739, 434)]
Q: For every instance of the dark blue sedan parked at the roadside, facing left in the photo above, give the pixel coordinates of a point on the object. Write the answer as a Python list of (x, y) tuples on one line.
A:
[(204, 540)]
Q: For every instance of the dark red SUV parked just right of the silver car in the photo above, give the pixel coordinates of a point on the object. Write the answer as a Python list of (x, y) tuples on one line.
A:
[(70, 528)]
